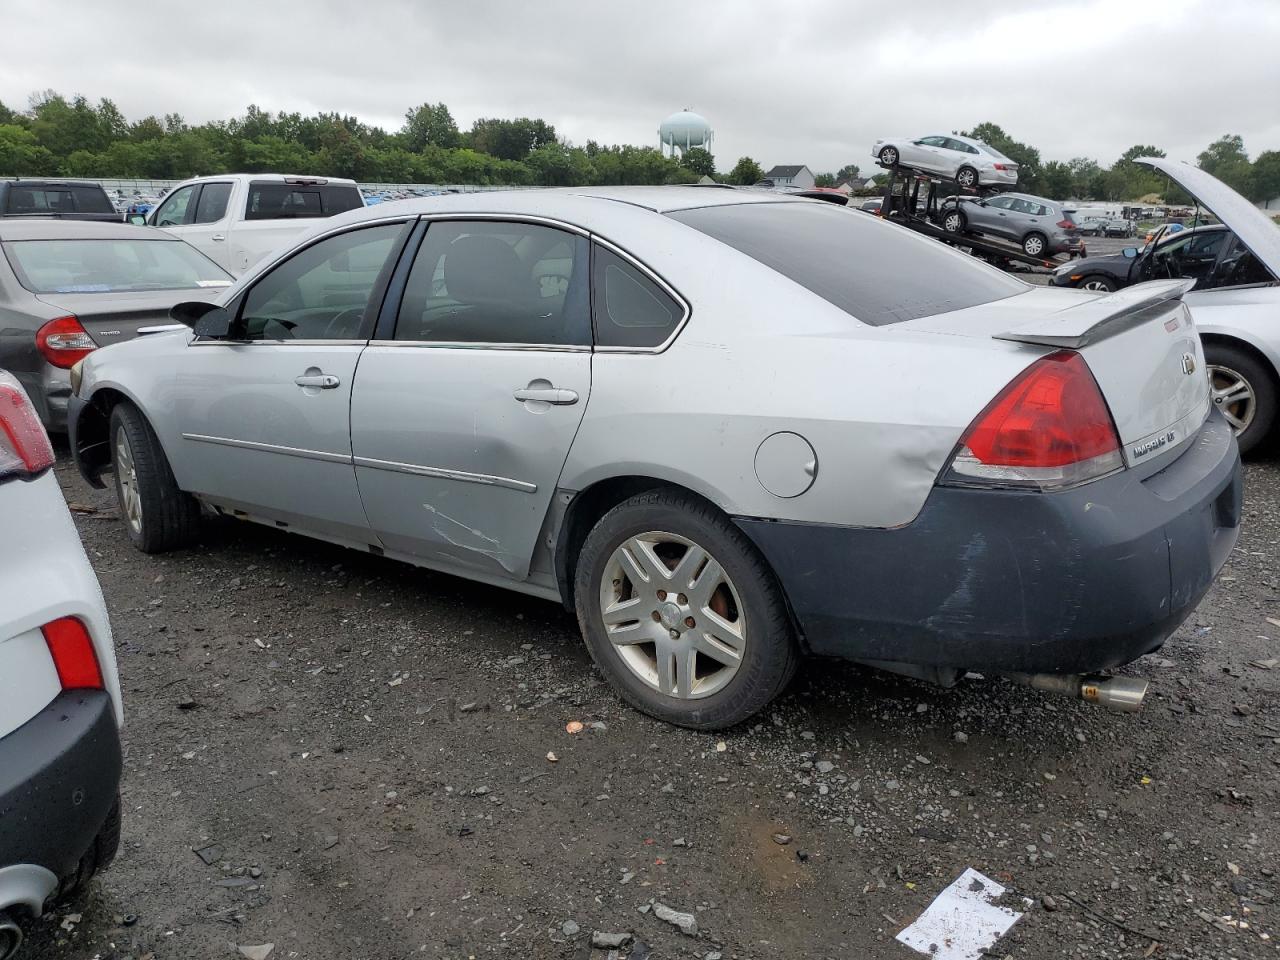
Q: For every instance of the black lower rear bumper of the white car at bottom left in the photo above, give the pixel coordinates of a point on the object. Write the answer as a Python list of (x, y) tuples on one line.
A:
[(60, 779)]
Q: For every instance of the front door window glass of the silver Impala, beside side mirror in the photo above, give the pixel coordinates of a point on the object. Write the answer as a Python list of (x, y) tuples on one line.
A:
[(321, 294)]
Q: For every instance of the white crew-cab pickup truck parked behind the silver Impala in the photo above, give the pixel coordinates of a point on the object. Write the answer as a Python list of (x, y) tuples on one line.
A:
[(237, 220)]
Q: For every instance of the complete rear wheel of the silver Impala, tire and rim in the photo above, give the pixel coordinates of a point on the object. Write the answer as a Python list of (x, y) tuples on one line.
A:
[(735, 596)]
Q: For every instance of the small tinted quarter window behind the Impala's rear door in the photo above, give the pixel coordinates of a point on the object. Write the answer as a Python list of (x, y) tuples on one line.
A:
[(630, 309)]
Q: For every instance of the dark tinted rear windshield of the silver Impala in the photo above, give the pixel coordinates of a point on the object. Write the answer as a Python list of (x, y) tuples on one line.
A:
[(876, 272)]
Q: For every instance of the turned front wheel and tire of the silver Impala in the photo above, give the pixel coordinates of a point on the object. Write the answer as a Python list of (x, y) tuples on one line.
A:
[(157, 514)]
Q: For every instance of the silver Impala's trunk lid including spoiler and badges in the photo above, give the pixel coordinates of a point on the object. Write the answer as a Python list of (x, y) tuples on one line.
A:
[(1141, 345)]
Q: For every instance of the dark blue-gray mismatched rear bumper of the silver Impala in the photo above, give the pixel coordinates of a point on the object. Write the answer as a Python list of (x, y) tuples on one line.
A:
[(1000, 580)]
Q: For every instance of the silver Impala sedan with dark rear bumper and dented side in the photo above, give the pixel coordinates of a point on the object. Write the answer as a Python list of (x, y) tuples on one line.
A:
[(725, 428)]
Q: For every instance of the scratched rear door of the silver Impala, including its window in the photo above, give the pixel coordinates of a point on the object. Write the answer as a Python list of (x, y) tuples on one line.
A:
[(469, 400)]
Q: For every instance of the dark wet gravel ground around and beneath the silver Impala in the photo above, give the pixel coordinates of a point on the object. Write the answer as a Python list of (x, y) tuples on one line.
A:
[(351, 758)]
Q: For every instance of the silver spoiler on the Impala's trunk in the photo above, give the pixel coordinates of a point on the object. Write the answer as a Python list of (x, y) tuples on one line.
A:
[(1096, 319)]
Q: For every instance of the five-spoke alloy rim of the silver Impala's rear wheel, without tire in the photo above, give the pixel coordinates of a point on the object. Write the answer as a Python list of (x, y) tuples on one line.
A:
[(673, 615)]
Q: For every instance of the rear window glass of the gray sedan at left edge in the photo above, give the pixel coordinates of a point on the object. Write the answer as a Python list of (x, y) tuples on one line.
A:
[(111, 266)]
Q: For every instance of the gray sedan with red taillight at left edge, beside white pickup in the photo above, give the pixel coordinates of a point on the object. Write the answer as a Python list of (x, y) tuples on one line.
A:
[(70, 287)]
